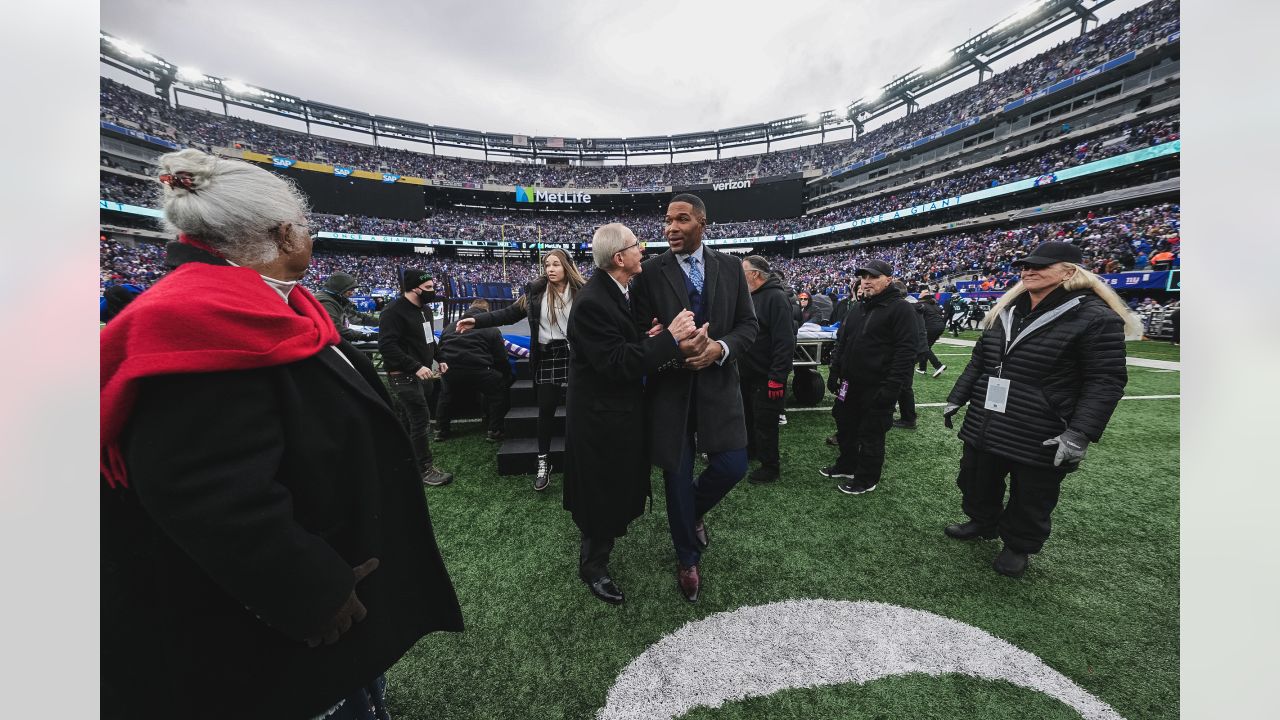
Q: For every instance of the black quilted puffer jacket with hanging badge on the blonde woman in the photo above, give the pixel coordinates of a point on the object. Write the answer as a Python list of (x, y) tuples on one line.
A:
[(1069, 373)]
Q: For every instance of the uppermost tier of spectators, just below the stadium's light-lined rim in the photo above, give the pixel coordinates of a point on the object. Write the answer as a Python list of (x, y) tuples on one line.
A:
[(204, 130)]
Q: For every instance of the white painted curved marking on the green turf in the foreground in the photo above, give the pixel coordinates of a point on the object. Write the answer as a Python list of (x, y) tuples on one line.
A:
[(802, 644)]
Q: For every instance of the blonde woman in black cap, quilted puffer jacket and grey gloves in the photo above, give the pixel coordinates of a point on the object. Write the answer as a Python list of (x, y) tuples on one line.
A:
[(1044, 381)]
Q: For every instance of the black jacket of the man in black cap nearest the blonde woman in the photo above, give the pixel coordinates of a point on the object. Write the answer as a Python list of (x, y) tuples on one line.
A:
[(876, 347)]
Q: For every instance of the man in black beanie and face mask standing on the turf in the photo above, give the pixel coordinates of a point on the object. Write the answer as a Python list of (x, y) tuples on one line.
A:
[(406, 338)]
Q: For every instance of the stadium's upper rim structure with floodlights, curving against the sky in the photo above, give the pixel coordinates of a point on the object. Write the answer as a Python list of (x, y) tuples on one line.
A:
[(1034, 22)]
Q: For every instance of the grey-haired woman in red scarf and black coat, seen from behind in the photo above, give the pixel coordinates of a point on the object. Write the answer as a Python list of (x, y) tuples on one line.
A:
[(267, 549)]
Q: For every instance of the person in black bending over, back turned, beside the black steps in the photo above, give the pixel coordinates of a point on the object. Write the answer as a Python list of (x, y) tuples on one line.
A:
[(477, 362)]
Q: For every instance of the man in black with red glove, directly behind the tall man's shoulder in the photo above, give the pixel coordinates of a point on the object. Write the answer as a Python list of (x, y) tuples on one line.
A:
[(764, 370)]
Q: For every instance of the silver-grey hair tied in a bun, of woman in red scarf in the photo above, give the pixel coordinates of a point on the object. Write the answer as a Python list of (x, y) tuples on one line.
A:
[(232, 206)]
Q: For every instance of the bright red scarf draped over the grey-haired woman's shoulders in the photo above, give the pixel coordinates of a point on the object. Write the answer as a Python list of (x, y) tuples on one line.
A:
[(200, 318)]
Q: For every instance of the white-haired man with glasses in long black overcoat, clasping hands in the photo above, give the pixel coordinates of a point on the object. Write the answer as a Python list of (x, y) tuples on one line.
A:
[(606, 458)]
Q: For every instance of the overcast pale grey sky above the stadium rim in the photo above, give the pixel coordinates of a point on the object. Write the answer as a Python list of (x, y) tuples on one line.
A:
[(564, 67)]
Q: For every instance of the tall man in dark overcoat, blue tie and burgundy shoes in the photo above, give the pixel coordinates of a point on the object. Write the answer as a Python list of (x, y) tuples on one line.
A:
[(697, 408)]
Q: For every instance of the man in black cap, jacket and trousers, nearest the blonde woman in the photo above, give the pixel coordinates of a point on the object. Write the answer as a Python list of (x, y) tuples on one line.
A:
[(874, 357)]
